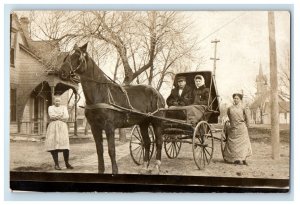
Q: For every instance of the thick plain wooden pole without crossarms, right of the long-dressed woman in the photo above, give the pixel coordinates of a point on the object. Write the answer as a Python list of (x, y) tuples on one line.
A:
[(274, 88)]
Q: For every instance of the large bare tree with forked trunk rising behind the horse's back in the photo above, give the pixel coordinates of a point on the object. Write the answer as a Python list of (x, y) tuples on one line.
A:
[(140, 39)]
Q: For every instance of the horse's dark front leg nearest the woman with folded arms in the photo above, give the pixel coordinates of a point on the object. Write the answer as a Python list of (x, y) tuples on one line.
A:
[(97, 134)]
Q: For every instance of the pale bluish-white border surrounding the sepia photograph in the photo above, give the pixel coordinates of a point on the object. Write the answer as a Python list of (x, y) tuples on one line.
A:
[(146, 196)]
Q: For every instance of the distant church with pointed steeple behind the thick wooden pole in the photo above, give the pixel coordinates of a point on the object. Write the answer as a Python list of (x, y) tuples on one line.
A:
[(261, 107)]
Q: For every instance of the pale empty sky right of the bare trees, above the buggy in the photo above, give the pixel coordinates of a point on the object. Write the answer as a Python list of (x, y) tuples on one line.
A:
[(244, 44)]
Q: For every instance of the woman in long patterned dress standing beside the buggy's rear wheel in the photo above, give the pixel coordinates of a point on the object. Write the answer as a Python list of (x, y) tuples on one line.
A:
[(238, 146)]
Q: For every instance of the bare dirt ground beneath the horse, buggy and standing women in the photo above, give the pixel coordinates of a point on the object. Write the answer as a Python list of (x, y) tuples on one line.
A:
[(30, 156)]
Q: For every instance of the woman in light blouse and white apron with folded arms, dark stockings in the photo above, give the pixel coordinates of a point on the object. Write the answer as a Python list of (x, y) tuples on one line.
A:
[(57, 136)]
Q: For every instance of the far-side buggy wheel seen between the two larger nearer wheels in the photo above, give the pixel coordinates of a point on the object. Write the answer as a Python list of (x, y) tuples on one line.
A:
[(172, 146)]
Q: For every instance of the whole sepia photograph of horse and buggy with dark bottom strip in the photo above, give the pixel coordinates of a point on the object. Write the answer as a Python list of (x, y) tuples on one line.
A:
[(154, 100)]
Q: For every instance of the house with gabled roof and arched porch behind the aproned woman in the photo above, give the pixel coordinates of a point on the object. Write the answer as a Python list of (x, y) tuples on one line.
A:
[(34, 79)]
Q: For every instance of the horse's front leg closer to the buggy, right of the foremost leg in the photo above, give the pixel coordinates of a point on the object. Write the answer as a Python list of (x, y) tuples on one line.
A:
[(110, 135)]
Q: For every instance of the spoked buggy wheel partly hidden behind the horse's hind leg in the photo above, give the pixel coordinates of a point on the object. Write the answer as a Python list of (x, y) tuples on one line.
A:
[(136, 145)]
